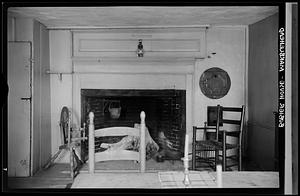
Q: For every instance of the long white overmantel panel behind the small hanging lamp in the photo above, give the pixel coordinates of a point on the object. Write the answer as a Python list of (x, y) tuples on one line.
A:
[(189, 42)]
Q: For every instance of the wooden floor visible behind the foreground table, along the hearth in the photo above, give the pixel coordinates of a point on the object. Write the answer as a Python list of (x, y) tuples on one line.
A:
[(58, 175)]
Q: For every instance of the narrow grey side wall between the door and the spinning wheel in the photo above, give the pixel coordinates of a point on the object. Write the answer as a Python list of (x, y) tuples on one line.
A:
[(41, 136)]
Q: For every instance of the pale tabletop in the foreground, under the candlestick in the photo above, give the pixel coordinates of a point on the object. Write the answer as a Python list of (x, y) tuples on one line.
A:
[(174, 179)]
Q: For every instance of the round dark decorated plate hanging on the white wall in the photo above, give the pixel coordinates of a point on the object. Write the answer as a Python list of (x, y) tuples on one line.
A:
[(214, 83)]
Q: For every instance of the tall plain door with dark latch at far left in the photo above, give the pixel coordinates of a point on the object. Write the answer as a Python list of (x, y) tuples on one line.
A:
[(19, 109)]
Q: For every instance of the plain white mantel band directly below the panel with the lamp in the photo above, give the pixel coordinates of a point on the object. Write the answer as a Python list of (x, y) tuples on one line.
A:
[(135, 65)]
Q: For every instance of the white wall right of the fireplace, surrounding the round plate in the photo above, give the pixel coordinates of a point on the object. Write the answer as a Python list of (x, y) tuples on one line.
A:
[(229, 45)]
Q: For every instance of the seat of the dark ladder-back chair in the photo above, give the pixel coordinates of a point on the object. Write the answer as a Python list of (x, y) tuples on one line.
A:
[(211, 145)]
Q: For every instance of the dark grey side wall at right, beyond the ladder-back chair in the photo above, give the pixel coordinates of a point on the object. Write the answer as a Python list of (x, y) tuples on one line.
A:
[(263, 91)]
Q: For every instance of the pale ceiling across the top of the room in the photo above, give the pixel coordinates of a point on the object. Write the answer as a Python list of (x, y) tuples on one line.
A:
[(145, 16)]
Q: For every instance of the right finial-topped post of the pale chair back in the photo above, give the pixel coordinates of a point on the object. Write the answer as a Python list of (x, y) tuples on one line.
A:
[(142, 142)]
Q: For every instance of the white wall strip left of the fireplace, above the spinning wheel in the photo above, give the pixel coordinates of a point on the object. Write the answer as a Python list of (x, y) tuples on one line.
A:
[(61, 90)]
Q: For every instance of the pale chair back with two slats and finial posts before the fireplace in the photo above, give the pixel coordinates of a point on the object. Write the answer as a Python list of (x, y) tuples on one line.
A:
[(116, 154)]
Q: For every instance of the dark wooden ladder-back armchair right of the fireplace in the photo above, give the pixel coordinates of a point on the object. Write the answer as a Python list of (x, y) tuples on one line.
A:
[(208, 150)]
